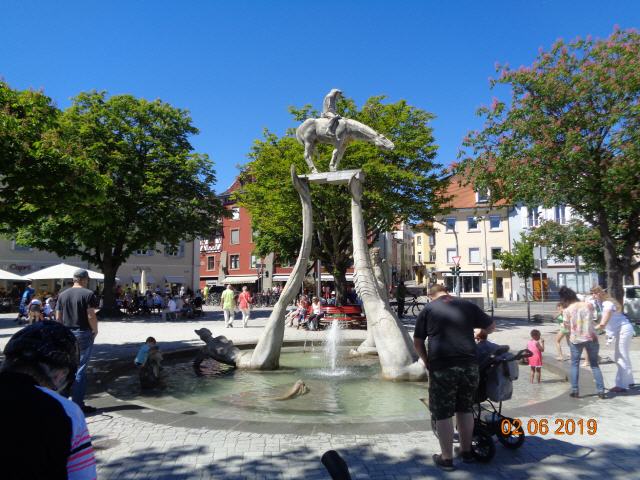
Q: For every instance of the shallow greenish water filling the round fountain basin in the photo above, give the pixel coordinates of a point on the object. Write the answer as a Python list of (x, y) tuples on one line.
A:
[(351, 398)]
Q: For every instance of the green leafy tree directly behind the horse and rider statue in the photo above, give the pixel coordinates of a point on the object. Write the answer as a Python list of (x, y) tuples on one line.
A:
[(401, 185)]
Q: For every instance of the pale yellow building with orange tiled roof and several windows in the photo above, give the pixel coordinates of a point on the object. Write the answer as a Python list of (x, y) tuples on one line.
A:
[(472, 233)]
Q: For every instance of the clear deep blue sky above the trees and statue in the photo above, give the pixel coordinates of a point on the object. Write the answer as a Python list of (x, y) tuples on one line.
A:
[(237, 65)]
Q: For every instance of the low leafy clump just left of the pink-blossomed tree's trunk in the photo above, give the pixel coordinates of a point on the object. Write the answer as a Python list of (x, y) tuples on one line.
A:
[(571, 240)]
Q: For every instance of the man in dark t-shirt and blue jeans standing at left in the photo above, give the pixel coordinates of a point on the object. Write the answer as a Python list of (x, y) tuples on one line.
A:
[(76, 309)]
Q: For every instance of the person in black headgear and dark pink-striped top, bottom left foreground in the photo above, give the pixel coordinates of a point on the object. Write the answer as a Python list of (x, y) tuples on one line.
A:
[(45, 434)]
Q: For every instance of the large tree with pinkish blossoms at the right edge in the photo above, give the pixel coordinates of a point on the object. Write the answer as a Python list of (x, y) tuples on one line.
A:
[(571, 135)]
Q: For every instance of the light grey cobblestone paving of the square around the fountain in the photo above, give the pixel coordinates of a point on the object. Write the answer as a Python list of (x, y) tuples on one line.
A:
[(129, 448)]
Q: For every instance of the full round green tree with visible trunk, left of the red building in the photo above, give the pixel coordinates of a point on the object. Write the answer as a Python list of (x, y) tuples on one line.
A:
[(147, 186)]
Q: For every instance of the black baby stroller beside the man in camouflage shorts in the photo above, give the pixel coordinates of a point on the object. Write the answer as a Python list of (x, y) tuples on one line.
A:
[(498, 368)]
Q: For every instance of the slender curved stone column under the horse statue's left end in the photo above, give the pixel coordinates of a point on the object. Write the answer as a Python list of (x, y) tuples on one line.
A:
[(266, 355)]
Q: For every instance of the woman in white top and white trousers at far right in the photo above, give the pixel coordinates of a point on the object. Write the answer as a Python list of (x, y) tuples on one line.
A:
[(617, 326)]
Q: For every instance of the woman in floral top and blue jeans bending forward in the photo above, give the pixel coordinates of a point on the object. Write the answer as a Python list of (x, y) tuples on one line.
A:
[(578, 318)]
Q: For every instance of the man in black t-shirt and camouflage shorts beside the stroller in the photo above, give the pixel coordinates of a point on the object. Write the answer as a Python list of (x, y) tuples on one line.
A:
[(448, 323)]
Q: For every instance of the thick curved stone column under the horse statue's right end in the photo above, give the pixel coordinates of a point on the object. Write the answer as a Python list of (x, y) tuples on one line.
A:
[(398, 358)]
